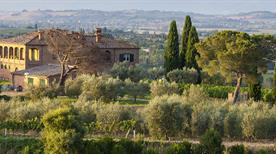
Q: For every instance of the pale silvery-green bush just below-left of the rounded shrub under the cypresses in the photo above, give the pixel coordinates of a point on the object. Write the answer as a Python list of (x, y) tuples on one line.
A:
[(163, 87)]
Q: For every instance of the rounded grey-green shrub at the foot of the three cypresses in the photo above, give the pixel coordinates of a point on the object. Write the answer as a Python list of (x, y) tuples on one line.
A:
[(183, 76)]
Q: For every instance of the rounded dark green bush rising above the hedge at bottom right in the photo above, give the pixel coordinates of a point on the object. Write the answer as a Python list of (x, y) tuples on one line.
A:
[(212, 142)]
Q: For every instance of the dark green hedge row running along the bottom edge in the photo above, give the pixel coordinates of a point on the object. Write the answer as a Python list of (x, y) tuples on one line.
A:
[(124, 146)]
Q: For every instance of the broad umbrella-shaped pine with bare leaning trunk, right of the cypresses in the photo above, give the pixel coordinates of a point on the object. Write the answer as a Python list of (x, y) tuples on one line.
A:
[(234, 55)]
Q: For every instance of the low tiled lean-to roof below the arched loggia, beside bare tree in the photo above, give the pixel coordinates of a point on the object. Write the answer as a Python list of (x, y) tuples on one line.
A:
[(43, 70)]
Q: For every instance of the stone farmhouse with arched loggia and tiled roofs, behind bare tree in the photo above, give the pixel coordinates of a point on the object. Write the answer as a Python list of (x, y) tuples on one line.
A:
[(25, 60)]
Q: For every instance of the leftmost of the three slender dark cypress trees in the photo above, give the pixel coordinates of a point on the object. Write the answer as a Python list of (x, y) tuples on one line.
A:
[(172, 49)]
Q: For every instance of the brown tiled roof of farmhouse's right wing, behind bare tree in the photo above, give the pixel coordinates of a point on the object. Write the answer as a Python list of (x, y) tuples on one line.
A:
[(109, 43)]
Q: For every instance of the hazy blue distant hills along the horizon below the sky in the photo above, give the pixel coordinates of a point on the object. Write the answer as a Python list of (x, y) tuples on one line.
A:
[(138, 20)]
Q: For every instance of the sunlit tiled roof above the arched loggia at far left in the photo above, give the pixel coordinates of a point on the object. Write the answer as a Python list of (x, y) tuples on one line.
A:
[(21, 39)]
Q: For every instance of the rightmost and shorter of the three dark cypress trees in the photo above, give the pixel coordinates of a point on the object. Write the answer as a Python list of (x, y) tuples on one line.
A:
[(192, 53)]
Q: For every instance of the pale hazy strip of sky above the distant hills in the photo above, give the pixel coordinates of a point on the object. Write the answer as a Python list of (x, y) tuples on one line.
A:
[(197, 6)]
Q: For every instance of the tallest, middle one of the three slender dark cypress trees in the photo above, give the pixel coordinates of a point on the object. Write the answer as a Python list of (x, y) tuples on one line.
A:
[(184, 41)]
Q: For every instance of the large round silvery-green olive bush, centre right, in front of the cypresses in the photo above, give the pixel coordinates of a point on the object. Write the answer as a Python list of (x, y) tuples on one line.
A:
[(167, 116)]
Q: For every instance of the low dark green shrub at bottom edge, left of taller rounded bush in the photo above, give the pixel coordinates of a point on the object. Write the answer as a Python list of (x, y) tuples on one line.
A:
[(183, 148)]
